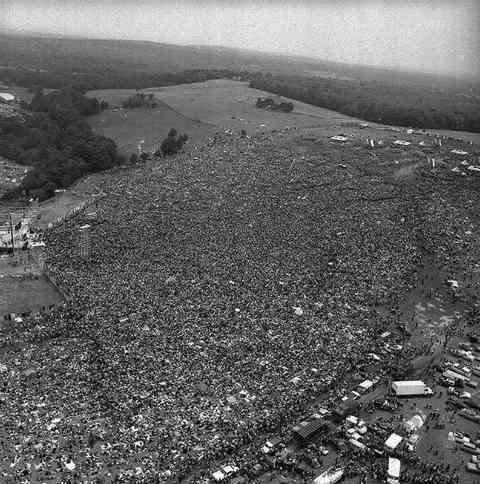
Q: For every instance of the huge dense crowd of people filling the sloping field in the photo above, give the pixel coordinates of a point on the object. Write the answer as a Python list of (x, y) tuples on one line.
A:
[(225, 290)]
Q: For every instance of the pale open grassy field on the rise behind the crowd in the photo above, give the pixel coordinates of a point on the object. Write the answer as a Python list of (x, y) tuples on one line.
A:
[(200, 109)]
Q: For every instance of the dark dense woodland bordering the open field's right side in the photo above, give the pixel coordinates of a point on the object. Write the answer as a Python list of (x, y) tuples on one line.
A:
[(396, 104)]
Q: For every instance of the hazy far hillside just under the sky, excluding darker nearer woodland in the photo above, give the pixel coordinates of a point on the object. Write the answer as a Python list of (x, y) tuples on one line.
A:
[(80, 57)]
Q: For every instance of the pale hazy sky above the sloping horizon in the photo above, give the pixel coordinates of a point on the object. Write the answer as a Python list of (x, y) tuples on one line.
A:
[(431, 35)]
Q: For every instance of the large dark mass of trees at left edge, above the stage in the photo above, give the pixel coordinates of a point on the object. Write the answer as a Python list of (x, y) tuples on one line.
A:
[(57, 142)]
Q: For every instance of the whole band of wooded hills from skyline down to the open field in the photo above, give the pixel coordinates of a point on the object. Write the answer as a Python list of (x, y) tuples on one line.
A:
[(371, 93)]
